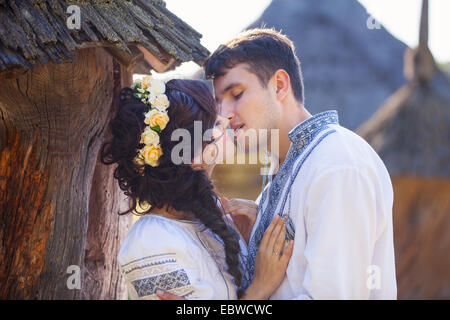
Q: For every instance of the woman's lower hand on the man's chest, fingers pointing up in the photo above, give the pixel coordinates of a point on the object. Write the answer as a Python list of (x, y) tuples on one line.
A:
[(271, 261)]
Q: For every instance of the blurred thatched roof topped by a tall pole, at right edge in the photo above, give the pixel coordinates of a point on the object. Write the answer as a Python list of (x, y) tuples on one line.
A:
[(411, 131)]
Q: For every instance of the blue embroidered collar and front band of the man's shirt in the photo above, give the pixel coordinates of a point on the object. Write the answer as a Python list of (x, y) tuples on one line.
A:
[(301, 137)]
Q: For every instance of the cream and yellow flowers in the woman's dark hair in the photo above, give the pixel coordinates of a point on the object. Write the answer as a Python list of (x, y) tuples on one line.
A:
[(151, 92)]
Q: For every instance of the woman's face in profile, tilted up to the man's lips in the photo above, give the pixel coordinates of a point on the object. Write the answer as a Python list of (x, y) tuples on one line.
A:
[(222, 146)]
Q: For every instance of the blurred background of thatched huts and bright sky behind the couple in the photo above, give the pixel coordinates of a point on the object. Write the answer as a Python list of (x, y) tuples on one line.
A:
[(385, 66)]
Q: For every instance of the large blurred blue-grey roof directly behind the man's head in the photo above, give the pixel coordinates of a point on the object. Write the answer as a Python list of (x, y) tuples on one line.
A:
[(346, 66)]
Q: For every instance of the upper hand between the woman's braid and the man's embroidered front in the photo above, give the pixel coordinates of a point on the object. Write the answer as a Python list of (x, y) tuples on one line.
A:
[(243, 212)]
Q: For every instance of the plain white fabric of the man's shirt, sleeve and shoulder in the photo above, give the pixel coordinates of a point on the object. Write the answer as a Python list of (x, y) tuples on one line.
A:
[(341, 207)]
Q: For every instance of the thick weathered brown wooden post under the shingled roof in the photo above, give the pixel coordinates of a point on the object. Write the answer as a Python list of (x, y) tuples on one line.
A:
[(52, 125)]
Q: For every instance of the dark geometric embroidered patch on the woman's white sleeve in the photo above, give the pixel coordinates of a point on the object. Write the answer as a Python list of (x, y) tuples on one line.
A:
[(166, 281)]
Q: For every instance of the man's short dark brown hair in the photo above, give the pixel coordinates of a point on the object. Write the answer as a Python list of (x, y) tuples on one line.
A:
[(265, 51)]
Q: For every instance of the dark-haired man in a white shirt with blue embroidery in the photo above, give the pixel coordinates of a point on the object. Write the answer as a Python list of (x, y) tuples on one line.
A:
[(333, 186)]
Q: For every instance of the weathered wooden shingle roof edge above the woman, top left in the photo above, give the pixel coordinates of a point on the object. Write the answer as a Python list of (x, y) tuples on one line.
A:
[(36, 30)]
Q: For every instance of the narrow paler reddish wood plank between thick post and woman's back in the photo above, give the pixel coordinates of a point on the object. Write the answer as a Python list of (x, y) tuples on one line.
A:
[(106, 229)]
